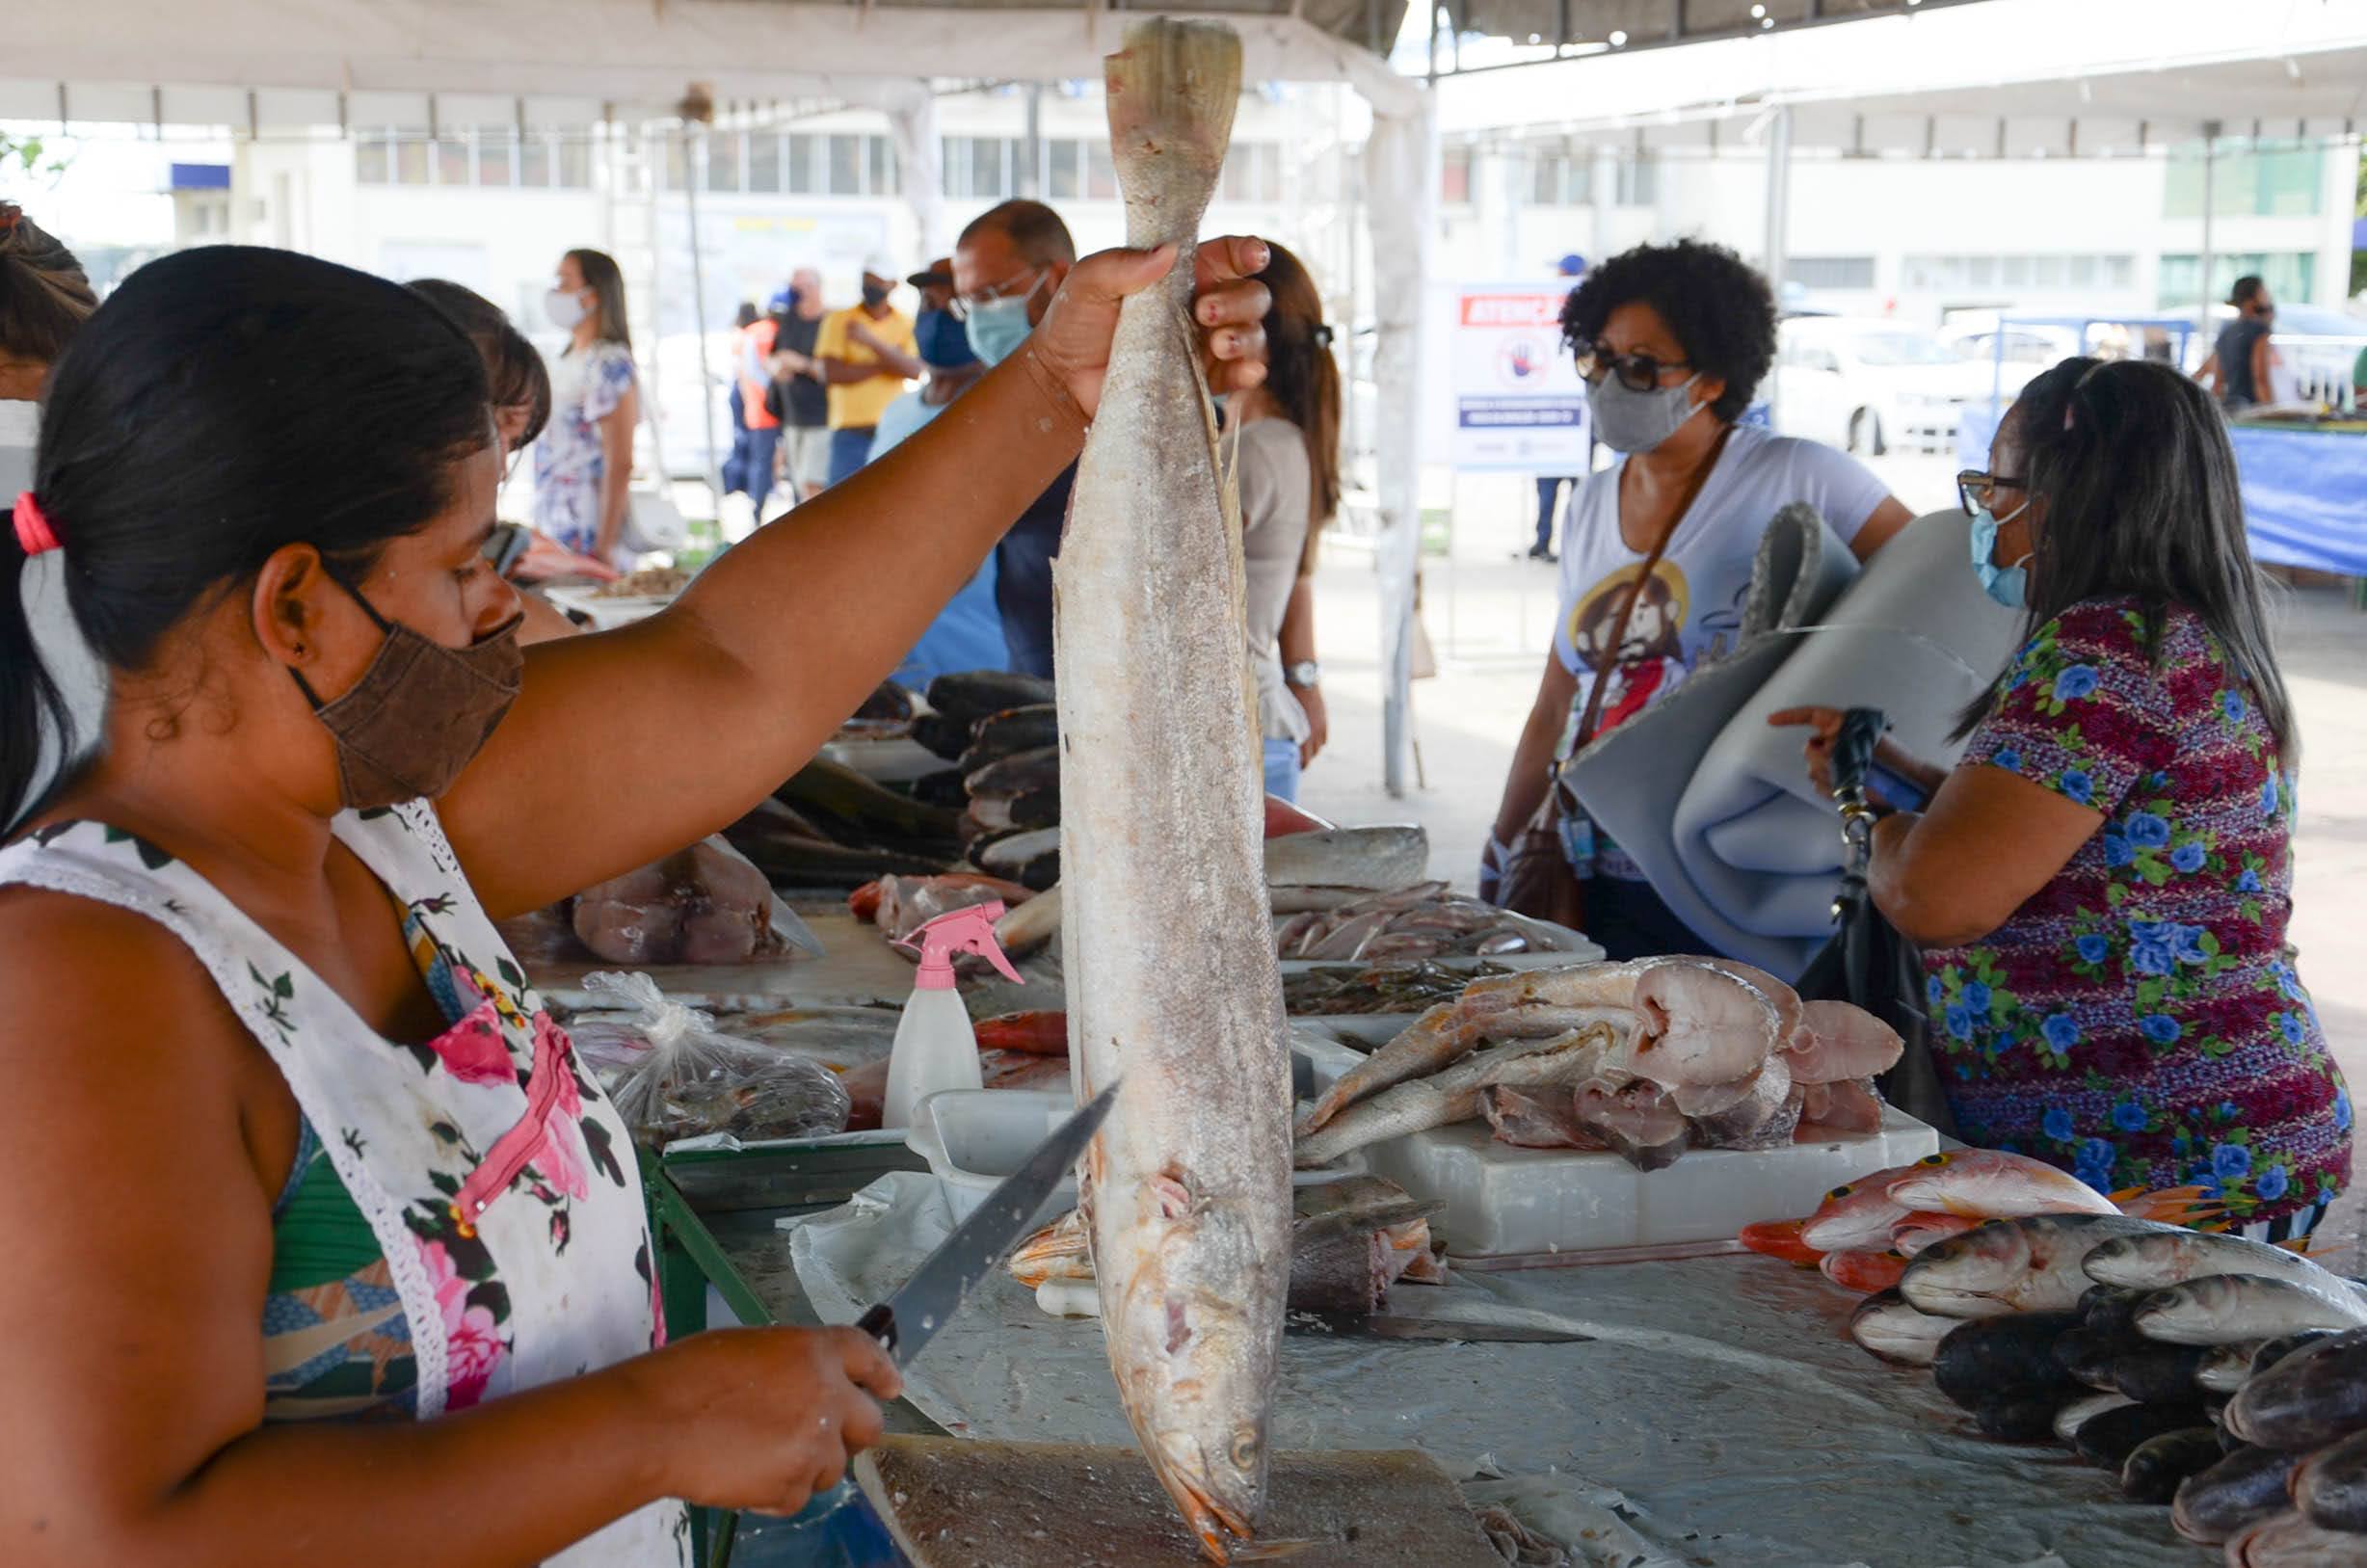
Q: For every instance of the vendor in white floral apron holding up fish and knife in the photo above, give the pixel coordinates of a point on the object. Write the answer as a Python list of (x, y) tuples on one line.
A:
[(288, 1133)]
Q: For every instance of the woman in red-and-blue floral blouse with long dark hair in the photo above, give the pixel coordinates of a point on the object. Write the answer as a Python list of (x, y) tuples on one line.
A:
[(2103, 885)]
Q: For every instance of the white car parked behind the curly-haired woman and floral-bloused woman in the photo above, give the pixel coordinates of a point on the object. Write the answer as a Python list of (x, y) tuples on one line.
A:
[(1873, 385)]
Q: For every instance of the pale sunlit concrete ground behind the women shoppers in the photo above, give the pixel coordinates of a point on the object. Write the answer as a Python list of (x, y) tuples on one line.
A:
[(1490, 619)]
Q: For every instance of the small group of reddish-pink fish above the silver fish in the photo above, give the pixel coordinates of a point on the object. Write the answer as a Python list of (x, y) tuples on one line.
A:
[(1866, 1230)]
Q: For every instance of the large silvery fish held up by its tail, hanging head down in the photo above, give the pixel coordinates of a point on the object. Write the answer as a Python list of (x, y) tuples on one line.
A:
[(1187, 1188)]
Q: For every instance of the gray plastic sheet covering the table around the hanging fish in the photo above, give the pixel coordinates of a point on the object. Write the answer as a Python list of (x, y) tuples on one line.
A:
[(1720, 1418)]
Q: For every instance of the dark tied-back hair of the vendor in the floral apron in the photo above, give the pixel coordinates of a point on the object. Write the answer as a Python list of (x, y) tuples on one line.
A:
[(219, 406)]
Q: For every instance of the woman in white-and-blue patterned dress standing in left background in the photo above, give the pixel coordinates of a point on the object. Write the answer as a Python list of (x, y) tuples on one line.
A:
[(583, 463)]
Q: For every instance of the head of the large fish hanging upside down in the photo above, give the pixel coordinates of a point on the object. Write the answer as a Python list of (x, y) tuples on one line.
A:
[(1199, 1373)]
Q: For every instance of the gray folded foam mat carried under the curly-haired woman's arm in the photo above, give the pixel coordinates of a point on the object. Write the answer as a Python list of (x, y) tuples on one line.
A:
[(1715, 804)]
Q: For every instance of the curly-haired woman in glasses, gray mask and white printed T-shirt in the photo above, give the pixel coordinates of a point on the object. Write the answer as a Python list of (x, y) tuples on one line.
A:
[(1658, 548)]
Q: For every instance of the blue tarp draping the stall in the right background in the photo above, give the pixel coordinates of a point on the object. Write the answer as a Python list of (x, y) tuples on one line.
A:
[(2304, 491)]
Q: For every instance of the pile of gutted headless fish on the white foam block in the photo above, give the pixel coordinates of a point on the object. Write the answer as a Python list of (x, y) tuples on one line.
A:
[(1644, 1058)]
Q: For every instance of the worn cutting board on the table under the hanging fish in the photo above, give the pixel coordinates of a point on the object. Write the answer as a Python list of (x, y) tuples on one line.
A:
[(957, 1503)]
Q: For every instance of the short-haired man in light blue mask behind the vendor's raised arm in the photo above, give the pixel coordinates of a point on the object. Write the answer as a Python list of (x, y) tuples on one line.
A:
[(1007, 269)]
